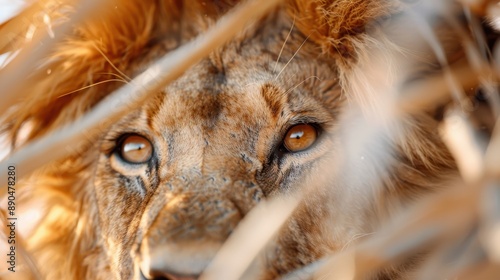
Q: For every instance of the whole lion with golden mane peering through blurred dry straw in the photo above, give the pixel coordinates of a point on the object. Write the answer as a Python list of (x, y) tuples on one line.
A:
[(156, 194)]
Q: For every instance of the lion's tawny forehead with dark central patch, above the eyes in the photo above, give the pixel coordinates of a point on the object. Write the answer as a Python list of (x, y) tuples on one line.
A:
[(237, 90)]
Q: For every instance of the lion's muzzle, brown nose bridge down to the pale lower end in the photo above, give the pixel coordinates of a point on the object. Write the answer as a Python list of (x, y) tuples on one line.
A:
[(196, 219)]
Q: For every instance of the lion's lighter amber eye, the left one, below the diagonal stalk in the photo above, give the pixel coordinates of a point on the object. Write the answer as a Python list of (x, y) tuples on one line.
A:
[(135, 149)]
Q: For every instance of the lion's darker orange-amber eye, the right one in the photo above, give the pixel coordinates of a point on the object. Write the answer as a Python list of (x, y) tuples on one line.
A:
[(300, 137)]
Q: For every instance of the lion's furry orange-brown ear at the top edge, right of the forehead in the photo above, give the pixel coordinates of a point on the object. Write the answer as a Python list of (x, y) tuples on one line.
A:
[(334, 24)]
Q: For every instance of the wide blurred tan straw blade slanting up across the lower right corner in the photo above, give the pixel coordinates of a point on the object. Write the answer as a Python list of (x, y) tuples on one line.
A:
[(437, 220)]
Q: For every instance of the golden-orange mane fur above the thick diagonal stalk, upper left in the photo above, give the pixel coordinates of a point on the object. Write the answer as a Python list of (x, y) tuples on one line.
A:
[(93, 57)]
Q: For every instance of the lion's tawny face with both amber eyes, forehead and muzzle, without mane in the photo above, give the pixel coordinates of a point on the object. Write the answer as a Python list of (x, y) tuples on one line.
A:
[(178, 175)]
